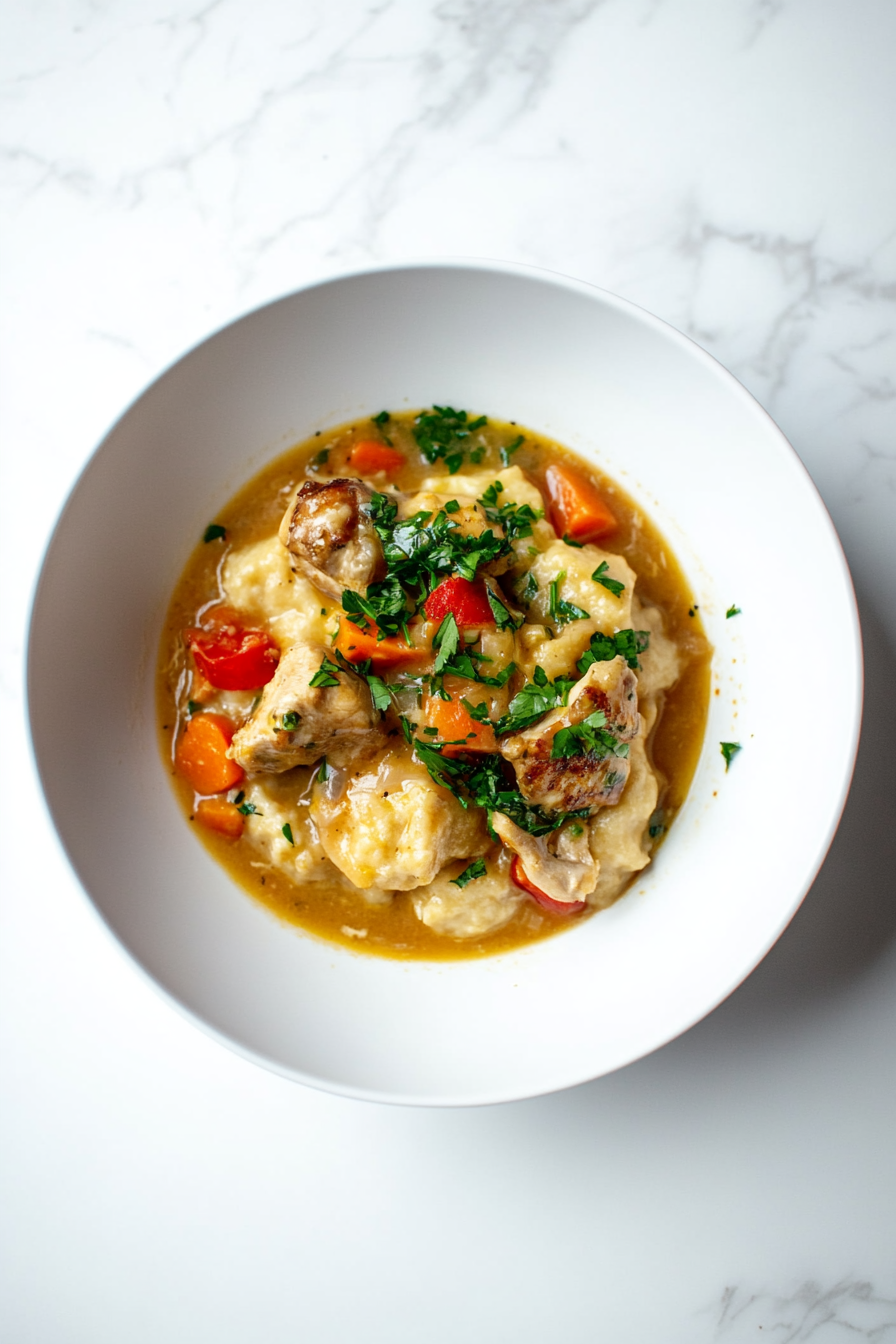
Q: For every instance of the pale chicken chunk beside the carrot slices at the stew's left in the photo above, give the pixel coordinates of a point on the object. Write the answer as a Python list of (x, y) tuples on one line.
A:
[(334, 721)]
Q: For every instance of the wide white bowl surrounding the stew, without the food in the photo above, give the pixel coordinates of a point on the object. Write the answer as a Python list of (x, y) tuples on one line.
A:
[(733, 499)]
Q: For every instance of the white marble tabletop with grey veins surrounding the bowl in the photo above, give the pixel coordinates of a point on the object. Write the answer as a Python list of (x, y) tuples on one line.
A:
[(727, 165)]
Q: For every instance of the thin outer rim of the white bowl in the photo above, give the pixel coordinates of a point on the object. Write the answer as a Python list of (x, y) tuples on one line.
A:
[(850, 725)]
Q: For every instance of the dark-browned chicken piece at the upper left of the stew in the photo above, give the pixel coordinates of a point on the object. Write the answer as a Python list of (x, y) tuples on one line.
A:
[(330, 537)]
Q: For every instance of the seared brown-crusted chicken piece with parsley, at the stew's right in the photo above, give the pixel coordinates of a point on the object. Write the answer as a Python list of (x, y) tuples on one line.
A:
[(578, 782)]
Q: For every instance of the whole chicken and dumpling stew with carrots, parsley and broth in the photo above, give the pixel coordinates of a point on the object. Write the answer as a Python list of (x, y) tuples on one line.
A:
[(432, 686)]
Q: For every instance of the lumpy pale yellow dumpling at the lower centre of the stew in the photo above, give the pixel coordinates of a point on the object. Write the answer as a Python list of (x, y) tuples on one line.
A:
[(393, 827)]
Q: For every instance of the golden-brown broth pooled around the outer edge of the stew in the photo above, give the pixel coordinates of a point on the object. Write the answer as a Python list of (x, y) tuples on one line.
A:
[(334, 911)]
